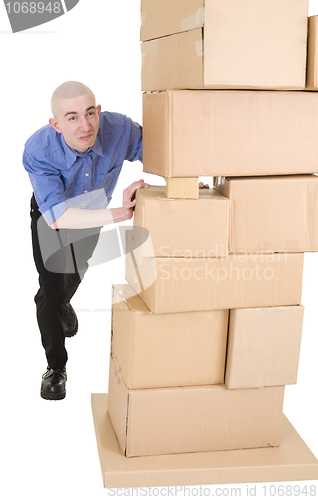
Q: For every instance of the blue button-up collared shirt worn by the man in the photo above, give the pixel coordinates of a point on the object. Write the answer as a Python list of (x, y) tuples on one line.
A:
[(62, 177)]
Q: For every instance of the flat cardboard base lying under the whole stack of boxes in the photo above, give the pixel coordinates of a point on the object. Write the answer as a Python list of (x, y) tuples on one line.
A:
[(291, 461)]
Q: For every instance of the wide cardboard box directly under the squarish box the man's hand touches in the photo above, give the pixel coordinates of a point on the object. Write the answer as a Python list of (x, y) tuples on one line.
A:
[(201, 284)]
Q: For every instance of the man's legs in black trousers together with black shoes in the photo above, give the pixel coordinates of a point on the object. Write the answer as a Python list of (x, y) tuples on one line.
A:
[(55, 292)]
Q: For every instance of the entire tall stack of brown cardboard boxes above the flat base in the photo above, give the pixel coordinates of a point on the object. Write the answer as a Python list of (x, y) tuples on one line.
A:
[(207, 333)]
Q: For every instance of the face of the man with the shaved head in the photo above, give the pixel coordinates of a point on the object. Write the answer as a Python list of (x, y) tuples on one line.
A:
[(78, 120)]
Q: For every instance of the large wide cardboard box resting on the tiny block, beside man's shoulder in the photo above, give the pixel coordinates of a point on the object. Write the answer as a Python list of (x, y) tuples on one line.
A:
[(229, 133)]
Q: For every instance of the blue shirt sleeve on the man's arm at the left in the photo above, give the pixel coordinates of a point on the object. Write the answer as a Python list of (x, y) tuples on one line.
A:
[(47, 186)]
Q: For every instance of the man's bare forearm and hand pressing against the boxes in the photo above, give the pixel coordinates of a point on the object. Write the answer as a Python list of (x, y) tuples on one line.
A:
[(76, 218)]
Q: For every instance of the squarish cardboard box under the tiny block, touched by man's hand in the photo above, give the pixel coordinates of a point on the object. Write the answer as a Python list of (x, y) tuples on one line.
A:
[(183, 227)]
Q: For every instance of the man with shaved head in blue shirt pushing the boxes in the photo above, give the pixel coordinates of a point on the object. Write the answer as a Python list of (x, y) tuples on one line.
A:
[(73, 164)]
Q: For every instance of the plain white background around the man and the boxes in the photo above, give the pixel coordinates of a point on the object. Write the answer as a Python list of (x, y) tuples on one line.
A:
[(49, 448)]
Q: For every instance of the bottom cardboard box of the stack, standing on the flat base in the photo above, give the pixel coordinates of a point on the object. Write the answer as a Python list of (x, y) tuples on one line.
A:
[(192, 419)]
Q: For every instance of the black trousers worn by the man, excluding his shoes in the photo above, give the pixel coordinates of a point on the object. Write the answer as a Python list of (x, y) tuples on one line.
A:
[(61, 261)]
